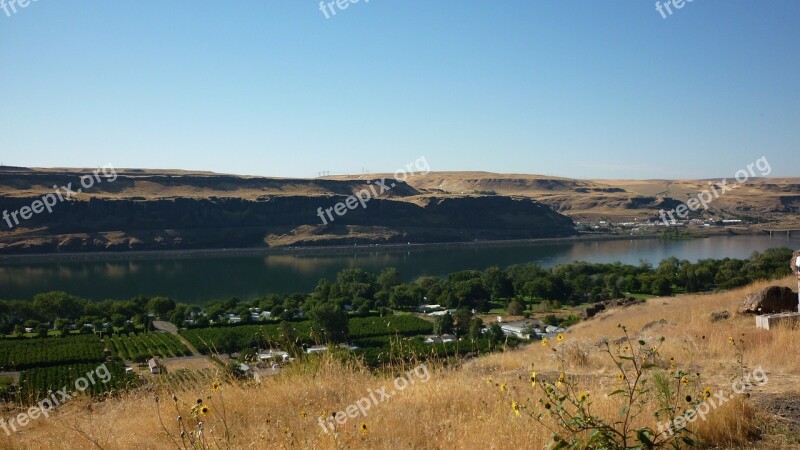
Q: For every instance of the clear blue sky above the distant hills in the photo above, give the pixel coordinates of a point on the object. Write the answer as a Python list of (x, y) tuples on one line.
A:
[(586, 89)]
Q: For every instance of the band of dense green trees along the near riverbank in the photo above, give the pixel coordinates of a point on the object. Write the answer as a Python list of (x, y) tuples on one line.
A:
[(361, 292)]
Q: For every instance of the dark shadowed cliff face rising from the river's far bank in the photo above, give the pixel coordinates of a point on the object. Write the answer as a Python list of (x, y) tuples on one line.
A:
[(120, 223)]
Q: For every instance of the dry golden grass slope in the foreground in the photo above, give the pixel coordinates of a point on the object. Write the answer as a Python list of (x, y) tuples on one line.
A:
[(469, 405)]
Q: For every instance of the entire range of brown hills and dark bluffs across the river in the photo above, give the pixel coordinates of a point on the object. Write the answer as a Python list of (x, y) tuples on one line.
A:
[(176, 210)]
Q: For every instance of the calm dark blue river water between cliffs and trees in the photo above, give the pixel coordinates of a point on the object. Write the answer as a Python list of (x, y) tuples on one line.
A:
[(197, 278)]
